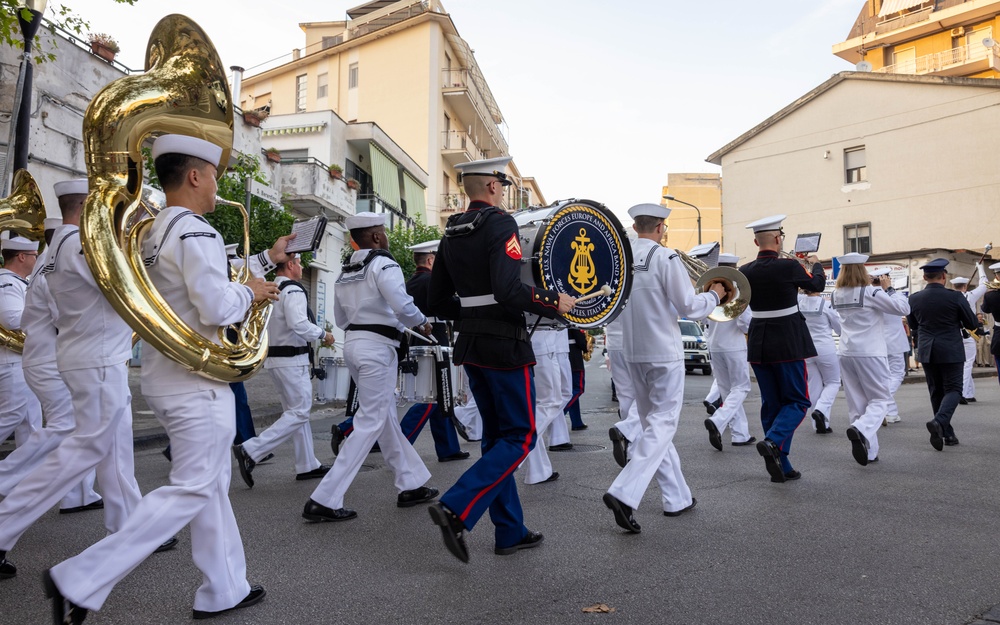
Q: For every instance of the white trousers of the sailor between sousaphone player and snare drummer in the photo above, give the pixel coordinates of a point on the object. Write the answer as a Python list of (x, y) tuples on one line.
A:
[(295, 391)]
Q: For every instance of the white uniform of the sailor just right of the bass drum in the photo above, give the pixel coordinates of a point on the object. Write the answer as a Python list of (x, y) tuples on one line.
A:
[(654, 355)]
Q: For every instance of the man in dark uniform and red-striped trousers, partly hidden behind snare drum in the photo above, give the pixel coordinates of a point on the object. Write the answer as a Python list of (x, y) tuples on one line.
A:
[(442, 428)]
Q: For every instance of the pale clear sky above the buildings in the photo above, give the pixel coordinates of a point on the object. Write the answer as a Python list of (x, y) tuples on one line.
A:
[(602, 99)]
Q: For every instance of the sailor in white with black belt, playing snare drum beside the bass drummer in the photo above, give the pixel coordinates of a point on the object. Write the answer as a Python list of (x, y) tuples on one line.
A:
[(373, 307)]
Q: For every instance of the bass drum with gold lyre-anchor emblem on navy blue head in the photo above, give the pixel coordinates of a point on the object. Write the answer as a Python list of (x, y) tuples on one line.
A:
[(576, 247)]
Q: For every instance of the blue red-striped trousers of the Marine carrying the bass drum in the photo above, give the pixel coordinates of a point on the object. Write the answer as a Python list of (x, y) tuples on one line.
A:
[(506, 402)]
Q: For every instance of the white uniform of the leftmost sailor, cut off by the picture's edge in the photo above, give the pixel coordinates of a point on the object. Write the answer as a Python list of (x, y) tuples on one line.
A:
[(20, 413)]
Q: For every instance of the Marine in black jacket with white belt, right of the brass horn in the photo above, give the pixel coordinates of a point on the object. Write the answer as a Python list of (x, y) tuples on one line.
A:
[(779, 342)]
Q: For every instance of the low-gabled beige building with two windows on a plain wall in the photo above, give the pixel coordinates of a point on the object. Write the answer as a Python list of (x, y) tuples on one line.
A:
[(898, 166)]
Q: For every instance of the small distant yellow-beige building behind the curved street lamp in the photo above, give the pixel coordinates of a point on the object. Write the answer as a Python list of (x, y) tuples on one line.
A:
[(701, 223)]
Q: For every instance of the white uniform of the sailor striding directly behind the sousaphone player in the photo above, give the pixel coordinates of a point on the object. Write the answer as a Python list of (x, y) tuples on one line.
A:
[(92, 352)]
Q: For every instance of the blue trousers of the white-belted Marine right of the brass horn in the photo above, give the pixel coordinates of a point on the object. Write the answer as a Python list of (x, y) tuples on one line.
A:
[(784, 401)]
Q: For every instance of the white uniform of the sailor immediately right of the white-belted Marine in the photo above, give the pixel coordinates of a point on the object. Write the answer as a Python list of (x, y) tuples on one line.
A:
[(823, 370)]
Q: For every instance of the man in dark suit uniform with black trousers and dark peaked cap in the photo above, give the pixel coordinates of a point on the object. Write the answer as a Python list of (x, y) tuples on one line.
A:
[(937, 316)]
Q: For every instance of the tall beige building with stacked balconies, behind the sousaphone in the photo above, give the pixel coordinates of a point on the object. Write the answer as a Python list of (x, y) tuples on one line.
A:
[(404, 66)]
